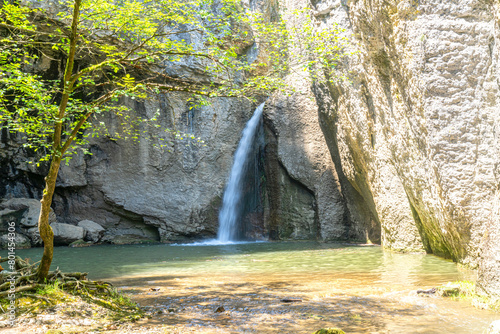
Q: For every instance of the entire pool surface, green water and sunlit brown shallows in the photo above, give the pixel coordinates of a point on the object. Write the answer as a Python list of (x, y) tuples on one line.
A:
[(362, 289)]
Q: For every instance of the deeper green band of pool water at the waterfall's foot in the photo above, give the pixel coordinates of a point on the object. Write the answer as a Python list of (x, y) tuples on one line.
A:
[(385, 267)]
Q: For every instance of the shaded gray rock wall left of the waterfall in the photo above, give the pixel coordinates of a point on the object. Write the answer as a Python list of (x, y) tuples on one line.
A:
[(133, 187)]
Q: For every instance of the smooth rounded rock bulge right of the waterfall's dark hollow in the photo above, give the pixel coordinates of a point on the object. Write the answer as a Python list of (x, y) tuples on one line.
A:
[(303, 154)]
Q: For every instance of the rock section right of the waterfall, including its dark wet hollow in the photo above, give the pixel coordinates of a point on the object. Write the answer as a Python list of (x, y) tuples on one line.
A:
[(307, 200)]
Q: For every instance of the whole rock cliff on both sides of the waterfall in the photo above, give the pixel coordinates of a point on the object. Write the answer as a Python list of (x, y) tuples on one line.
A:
[(405, 153)]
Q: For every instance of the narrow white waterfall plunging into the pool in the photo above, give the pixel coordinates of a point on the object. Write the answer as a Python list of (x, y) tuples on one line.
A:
[(231, 202)]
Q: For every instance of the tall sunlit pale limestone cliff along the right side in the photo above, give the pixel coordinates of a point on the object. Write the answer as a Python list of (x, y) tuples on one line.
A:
[(417, 127)]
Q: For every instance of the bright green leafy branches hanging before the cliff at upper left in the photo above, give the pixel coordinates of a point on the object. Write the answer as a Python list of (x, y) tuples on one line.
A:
[(119, 49)]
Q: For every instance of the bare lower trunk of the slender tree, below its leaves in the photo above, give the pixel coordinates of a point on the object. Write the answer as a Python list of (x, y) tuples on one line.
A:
[(46, 232)]
